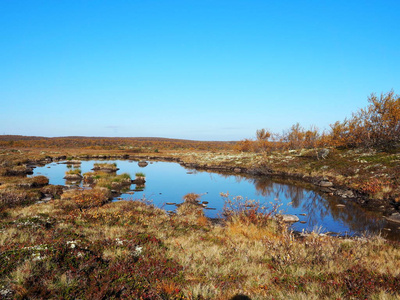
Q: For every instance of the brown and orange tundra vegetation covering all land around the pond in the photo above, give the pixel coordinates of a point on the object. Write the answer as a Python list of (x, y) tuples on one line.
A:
[(79, 245)]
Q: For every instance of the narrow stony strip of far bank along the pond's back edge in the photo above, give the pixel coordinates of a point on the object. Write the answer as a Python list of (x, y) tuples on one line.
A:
[(319, 182)]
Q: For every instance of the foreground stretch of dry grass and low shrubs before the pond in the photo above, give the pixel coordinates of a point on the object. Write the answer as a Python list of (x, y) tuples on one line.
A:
[(209, 261)]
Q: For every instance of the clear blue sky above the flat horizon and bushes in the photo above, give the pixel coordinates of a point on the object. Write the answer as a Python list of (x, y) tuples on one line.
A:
[(193, 69)]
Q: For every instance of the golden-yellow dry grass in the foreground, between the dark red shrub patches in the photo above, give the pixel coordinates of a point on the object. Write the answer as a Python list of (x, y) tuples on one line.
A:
[(218, 262)]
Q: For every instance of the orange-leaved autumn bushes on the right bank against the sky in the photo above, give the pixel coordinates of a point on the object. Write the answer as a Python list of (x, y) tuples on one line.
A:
[(376, 126)]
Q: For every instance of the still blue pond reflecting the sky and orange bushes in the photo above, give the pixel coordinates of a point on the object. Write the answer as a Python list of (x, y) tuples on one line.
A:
[(168, 182)]
